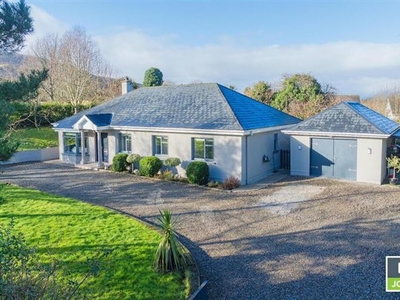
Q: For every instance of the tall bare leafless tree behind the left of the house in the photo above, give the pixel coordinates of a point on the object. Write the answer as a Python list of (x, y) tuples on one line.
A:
[(77, 71)]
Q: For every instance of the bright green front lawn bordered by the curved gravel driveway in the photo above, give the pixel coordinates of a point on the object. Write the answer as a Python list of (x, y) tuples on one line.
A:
[(71, 232)]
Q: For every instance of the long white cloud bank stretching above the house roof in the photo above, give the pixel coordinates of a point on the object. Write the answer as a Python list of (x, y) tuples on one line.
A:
[(350, 66)]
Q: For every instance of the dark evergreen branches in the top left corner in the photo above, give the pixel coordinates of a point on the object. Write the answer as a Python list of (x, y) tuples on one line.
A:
[(15, 24)]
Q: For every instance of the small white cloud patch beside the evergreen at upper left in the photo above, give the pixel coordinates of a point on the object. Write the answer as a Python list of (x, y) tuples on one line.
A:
[(43, 24)]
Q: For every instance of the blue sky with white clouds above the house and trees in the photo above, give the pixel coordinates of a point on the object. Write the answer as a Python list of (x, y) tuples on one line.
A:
[(352, 45)]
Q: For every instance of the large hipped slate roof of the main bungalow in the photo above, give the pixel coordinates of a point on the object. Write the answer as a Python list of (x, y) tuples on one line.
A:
[(193, 106)]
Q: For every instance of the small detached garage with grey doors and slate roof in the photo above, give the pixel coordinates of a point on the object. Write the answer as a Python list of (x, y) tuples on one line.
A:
[(347, 141)]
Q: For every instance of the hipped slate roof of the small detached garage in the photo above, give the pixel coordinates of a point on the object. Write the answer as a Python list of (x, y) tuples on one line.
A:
[(348, 117)]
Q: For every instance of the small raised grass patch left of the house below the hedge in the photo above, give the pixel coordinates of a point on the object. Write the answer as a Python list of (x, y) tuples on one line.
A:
[(35, 138)]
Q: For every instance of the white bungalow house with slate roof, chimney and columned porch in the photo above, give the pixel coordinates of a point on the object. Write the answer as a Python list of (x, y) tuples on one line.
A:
[(236, 135)]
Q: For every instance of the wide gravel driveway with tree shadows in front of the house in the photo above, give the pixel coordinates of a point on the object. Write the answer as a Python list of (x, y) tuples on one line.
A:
[(296, 239)]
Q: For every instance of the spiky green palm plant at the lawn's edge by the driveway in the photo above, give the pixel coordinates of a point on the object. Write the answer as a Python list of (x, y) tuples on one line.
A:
[(171, 254)]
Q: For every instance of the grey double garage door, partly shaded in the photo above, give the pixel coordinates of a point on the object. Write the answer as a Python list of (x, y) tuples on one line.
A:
[(335, 158)]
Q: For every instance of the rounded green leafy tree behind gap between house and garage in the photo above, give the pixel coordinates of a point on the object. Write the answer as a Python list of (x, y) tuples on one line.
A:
[(302, 96)]
